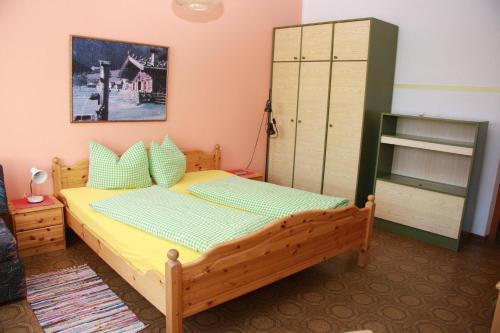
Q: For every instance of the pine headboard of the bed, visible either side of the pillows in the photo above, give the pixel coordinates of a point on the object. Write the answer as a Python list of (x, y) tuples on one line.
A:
[(77, 175)]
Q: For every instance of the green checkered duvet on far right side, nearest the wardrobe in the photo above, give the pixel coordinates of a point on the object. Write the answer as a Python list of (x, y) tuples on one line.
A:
[(262, 198)]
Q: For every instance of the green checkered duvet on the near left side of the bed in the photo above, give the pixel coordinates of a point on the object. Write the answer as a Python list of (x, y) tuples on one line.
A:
[(192, 222)]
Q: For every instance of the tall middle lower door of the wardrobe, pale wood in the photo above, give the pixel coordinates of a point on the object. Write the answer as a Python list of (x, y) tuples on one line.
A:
[(311, 125)]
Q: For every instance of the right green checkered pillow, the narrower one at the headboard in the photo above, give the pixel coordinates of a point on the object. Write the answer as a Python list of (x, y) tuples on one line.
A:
[(167, 163)]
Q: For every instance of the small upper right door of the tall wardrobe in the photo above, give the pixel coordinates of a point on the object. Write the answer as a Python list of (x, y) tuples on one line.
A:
[(350, 41)]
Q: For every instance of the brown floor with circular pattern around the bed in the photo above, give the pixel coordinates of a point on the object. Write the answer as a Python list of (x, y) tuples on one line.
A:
[(407, 287)]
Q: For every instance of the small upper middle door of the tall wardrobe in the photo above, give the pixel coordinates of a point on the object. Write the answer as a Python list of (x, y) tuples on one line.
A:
[(317, 42)]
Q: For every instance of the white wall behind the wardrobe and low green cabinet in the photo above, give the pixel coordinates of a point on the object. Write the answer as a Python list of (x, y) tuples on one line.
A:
[(442, 43)]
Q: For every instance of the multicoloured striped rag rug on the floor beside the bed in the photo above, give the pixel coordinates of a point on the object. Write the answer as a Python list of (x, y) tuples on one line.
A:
[(77, 300)]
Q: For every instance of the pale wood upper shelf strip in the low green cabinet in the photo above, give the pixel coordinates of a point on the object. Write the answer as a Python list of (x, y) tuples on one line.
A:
[(435, 144)]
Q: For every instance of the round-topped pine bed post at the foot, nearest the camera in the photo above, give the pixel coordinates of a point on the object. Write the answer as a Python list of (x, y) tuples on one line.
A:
[(173, 281)]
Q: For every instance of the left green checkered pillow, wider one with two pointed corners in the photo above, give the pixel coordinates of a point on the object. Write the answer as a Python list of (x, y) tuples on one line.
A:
[(109, 171)]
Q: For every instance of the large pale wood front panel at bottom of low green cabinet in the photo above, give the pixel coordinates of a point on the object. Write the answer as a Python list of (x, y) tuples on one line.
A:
[(426, 210)]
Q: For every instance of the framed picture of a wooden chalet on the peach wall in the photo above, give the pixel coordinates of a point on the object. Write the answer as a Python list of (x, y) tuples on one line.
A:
[(117, 81)]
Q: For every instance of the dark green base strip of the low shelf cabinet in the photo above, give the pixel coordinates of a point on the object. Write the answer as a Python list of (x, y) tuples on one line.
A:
[(425, 236)]
